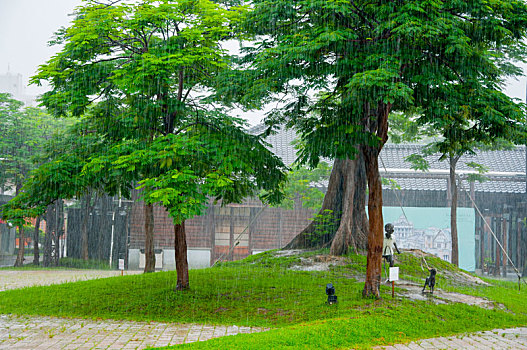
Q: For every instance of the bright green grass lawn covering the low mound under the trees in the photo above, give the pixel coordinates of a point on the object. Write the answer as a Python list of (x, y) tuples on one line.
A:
[(262, 291)]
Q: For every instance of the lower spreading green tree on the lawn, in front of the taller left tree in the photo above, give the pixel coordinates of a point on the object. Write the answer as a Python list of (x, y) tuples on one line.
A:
[(219, 160)]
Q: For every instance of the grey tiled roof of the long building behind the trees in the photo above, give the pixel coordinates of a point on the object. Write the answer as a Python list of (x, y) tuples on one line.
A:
[(393, 157)]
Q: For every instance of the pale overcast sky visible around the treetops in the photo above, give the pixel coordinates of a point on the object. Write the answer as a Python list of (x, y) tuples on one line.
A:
[(26, 26)]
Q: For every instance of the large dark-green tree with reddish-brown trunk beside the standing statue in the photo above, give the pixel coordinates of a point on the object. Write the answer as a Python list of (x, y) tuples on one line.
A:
[(346, 65)]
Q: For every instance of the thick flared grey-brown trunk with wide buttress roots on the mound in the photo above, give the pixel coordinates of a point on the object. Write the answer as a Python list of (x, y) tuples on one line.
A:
[(345, 194)]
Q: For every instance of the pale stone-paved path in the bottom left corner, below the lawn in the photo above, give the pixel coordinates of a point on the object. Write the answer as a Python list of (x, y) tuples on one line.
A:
[(24, 332)]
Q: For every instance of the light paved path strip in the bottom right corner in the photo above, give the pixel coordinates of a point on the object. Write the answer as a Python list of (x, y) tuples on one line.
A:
[(514, 338)]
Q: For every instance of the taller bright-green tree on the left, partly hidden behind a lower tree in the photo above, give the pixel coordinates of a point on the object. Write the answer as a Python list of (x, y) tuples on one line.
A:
[(149, 64)]
